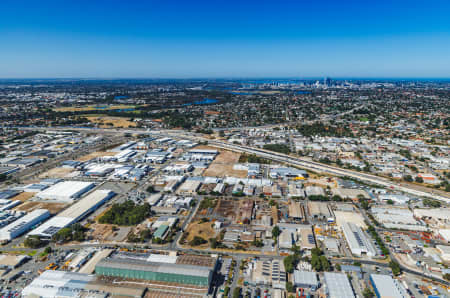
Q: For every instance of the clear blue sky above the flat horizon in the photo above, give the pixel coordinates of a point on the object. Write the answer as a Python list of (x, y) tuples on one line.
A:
[(185, 39)]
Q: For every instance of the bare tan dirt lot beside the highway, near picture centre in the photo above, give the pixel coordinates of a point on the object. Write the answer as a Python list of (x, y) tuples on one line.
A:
[(223, 165)]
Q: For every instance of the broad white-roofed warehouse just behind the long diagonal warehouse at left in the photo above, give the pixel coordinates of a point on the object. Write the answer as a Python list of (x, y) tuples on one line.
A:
[(66, 191)]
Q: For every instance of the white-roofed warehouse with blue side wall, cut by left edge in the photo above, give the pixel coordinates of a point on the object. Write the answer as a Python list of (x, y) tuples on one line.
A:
[(23, 224)]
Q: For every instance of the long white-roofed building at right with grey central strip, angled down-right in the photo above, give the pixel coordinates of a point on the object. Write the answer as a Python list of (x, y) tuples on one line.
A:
[(357, 240)]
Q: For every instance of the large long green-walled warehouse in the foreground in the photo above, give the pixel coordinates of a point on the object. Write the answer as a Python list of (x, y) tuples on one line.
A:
[(187, 269)]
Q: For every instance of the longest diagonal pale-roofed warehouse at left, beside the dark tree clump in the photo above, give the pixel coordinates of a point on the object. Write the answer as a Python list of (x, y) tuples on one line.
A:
[(73, 214)]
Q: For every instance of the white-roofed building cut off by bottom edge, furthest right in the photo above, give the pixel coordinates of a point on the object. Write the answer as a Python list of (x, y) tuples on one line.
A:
[(387, 287)]
